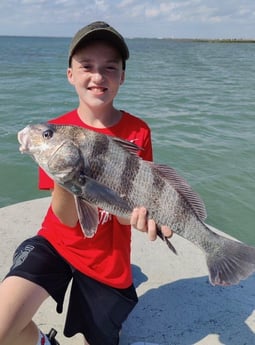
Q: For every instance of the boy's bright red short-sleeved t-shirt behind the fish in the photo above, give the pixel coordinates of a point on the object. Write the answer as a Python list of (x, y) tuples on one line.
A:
[(106, 256)]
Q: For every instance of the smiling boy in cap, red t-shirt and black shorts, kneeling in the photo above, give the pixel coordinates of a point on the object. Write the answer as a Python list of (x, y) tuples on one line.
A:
[(102, 294)]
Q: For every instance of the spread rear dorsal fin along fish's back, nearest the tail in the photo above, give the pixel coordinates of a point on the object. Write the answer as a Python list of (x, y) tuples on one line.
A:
[(182, 186)]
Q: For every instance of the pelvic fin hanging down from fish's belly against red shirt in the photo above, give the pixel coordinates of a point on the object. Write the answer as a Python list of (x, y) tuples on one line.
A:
[(88, 217)]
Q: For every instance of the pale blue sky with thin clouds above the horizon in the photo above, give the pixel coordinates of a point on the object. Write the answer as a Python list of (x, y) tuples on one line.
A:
[(133, 18)]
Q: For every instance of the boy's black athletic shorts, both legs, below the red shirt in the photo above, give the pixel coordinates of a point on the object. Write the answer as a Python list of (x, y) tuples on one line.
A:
[(95, 309)]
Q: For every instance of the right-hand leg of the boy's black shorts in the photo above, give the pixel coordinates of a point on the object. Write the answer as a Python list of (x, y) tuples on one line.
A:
[(97, 310)]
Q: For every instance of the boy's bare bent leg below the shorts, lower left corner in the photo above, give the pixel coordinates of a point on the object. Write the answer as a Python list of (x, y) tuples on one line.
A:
[(20, 299)]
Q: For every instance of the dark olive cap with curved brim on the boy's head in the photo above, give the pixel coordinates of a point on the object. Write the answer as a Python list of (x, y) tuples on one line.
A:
[(99, 31)]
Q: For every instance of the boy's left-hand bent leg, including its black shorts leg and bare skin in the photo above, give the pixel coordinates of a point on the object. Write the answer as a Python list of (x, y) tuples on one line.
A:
[(37, 271)]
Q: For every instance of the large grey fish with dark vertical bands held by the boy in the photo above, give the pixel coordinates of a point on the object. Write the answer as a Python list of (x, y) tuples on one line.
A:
[(105, 172)]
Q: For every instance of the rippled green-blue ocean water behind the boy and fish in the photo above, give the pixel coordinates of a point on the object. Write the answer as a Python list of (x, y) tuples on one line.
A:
[(197, 97)]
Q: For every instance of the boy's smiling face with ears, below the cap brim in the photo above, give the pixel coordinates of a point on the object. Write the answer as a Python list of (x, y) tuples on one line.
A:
[(96, 73)]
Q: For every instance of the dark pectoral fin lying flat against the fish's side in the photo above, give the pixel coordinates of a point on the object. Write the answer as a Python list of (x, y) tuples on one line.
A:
[(95, 192)]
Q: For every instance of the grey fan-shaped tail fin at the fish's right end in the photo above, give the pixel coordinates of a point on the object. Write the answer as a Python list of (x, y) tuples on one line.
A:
[(235, 261)]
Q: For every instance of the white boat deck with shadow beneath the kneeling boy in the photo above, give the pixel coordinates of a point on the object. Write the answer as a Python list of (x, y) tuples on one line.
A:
[(177, 305)]
